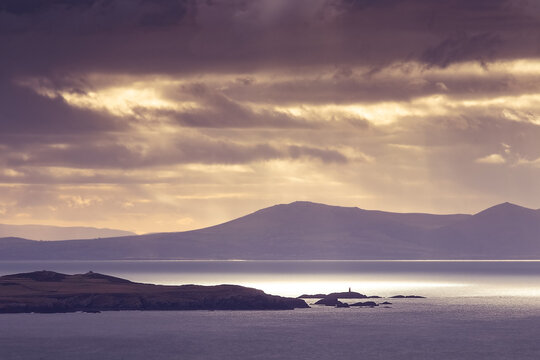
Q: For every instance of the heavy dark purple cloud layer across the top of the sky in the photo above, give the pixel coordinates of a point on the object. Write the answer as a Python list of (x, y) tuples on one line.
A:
[(193, 36)]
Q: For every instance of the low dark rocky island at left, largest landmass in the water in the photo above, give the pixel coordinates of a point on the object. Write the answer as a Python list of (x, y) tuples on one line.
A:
[(52, 292)]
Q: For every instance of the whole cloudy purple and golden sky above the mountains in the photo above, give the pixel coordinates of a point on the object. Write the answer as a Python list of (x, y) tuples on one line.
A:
[(178, 114)]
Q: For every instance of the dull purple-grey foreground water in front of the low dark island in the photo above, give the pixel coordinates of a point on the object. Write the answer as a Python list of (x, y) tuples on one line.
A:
[(424, 329)]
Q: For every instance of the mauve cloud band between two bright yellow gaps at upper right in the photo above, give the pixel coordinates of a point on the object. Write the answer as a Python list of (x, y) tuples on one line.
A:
[(363, 89)]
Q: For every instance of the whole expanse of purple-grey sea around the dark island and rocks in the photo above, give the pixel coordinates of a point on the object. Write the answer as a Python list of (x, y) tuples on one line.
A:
[(471, 310)]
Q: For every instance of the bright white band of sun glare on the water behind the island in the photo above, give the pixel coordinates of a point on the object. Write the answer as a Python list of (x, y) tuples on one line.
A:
[(442, 285)]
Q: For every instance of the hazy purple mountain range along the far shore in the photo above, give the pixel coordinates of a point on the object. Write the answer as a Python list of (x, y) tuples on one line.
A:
[(305, 230)]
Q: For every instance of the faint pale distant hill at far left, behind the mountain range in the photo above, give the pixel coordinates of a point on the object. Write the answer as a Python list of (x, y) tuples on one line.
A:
[(46, 232)]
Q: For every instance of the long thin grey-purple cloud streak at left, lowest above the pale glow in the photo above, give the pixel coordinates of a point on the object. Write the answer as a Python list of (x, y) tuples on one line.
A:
[(112, 155)]
